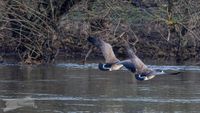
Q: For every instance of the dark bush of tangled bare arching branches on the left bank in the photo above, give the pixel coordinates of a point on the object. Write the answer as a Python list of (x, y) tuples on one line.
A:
[(32, 27)]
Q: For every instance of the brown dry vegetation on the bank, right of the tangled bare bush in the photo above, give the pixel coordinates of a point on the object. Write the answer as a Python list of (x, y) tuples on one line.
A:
[(164, 29)]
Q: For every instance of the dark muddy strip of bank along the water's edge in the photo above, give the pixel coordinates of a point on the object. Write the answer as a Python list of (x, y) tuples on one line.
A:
[(94, 57)]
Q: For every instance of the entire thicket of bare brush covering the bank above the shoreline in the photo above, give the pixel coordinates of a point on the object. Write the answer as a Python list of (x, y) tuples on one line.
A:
[(38, 30)]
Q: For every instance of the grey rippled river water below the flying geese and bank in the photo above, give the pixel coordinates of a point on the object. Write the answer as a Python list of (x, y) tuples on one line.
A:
[(74, 88)]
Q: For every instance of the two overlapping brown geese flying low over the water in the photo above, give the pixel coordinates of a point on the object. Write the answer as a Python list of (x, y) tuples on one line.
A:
[(134, 64)]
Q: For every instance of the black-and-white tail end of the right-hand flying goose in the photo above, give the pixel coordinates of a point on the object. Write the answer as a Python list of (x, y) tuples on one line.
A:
[(144, 76)]
